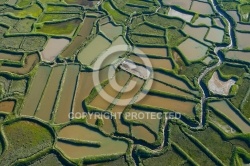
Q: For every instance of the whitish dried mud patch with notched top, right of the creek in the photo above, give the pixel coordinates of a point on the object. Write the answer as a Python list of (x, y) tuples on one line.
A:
[(217, 86)]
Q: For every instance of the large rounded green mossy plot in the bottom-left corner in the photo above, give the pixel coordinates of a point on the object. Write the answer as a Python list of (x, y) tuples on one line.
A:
[(24, 139)]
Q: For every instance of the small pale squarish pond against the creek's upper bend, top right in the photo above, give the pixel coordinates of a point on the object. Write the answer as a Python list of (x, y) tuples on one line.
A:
[(215, 35)]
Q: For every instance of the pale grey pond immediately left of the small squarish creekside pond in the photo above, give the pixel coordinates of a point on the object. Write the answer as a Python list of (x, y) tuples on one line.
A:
[(197, 33)]
